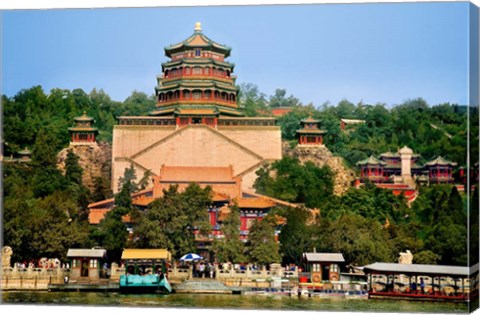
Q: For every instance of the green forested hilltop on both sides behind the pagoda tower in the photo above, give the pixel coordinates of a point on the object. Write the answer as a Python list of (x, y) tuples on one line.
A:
[(429, 129)]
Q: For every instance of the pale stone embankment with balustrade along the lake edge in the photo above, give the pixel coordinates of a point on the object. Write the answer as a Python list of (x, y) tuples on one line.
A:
[(51, 279)]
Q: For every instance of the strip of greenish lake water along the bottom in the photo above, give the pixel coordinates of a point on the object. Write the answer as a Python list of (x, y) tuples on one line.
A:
[(234, 302)]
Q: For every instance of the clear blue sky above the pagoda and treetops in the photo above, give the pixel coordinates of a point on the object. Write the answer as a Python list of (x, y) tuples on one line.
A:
[(373, 53)]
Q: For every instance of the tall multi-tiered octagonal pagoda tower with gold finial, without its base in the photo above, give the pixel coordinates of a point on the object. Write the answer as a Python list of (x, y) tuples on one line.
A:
[(197, 85)]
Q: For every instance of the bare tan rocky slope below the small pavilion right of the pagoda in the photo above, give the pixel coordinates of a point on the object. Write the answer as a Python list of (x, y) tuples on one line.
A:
[(321, 156)]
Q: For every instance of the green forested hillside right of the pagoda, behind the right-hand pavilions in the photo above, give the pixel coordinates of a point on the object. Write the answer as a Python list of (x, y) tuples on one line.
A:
[(429, 129)]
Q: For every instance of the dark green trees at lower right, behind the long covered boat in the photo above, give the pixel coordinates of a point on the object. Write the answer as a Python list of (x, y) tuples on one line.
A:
[(366, 224)]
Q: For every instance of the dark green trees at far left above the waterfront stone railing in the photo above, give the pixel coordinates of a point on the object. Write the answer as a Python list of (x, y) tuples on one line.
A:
[(45, 225)]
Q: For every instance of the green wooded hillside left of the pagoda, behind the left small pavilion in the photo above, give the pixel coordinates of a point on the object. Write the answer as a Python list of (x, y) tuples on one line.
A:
[(31, 110)]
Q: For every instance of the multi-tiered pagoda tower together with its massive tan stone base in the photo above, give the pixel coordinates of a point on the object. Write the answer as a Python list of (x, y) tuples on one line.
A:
[(197, 121)]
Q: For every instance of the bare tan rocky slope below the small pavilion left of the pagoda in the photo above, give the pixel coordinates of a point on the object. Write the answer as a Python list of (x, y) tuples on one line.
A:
[(94, 158)]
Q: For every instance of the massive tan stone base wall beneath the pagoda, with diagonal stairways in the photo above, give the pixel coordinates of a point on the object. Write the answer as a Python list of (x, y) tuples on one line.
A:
[(150, 147)]
